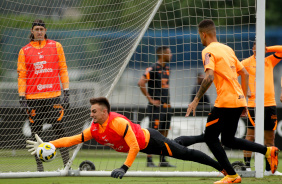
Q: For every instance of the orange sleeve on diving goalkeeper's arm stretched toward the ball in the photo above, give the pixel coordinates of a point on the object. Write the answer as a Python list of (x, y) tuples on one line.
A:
[(73, 140)]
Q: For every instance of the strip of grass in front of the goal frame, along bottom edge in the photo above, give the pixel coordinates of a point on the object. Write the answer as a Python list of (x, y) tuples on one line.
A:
[(135, 180)]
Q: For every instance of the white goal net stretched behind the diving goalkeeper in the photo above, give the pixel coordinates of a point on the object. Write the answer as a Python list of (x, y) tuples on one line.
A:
[(108, 46)]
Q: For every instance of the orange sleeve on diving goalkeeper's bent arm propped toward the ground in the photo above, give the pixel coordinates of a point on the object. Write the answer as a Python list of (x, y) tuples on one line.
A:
[(120, 125)]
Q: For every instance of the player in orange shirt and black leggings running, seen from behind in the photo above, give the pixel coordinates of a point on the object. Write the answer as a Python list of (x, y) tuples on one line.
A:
[(221, 67)]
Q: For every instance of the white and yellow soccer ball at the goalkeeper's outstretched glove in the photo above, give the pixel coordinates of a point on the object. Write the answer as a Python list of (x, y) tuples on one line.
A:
[(46, 152)]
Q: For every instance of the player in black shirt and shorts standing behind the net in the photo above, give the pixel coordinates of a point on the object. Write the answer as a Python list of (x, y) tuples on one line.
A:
[(158, 109)]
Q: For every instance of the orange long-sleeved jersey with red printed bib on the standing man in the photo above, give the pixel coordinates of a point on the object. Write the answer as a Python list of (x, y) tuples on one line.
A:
[(38, 70)]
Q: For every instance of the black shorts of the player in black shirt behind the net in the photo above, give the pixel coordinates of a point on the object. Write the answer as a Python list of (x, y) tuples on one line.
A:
[(159, 117)]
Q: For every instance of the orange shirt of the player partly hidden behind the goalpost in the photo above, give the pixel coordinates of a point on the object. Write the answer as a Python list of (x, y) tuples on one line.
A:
[(269, 63)]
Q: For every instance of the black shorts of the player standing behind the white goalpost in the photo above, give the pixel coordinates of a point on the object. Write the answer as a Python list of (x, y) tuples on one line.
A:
[(270, 118)]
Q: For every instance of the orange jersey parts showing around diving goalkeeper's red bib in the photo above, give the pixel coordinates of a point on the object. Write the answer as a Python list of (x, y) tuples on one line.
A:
[(118, 125)]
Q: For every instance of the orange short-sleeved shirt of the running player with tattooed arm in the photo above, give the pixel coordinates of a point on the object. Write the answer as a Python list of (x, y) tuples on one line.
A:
[(222, 60)]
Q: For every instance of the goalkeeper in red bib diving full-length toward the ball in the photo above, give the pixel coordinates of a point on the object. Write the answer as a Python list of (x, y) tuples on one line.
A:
[(116, 131)]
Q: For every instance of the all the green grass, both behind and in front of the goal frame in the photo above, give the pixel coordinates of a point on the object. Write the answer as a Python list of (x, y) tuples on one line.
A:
[(109, 160)]
